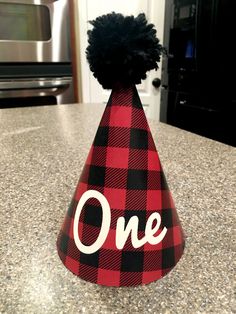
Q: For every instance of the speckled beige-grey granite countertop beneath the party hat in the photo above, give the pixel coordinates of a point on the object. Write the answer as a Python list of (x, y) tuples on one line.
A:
[(43, 150)]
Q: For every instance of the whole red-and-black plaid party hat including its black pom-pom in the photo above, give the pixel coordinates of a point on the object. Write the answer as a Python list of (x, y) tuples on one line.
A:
[(122, 228)]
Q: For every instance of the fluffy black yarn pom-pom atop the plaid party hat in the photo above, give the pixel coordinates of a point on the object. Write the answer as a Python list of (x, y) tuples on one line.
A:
[(122, 49)]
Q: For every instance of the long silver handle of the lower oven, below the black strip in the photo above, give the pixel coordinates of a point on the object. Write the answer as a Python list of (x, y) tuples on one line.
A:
[(34, 84)]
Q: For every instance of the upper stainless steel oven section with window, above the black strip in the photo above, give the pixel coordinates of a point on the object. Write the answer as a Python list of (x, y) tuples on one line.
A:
[(34, 31)]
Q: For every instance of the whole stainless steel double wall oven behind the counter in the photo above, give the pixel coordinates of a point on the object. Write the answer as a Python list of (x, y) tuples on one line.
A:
[(35, 58)]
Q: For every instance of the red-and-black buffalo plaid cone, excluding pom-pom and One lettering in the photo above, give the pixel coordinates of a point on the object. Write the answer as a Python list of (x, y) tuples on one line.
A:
[(124, 166)]
